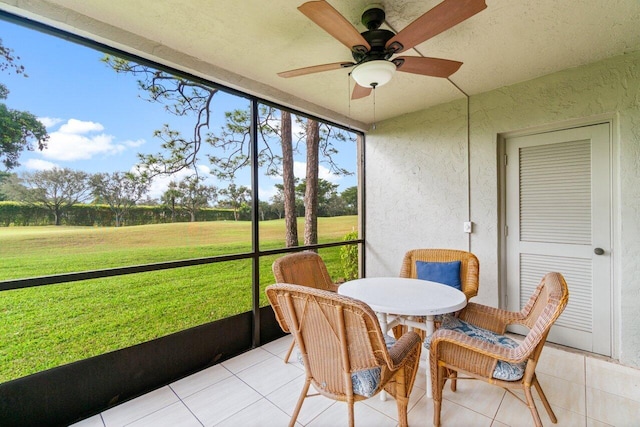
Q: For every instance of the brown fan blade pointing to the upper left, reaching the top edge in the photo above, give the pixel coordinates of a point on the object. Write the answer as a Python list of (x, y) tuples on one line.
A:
[(330, 20)]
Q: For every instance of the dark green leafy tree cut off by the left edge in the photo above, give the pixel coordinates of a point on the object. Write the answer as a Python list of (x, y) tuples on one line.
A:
[(19, 130)]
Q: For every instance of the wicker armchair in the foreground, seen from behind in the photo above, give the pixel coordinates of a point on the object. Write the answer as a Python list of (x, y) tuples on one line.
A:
[(341, 343)]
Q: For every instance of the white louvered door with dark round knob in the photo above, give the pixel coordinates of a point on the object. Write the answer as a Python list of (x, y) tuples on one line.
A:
[(558, 202)]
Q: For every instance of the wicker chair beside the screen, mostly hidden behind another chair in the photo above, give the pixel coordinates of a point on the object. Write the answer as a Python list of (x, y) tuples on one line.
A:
[(302, 268)]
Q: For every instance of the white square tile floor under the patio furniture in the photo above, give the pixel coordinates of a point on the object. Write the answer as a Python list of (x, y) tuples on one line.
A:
[(258, 389)]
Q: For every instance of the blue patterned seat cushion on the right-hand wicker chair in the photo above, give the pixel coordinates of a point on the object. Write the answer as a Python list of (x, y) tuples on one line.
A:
[(504, 370)]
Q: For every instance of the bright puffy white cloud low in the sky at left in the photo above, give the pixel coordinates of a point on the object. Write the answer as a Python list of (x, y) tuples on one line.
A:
[(70, 142)]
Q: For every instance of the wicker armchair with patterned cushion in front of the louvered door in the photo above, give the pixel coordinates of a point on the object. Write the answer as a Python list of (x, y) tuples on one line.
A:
[(477, 347)]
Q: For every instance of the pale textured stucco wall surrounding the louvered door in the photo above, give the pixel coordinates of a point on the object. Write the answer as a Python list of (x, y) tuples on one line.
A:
[(416, 181)]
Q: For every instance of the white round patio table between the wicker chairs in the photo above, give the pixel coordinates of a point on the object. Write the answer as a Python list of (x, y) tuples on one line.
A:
[(397, 299)]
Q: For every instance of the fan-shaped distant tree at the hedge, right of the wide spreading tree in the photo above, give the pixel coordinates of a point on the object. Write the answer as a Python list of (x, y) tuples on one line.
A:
[(120, 190)]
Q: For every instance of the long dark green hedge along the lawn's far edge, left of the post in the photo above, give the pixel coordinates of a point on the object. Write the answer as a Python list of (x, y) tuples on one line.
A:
[(22, 214)]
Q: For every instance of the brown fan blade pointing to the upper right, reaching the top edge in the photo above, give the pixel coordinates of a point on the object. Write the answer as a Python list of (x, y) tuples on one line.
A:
[(442, 17)]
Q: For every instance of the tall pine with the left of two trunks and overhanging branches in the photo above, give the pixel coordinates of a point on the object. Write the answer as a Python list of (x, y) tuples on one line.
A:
[(182, 97)]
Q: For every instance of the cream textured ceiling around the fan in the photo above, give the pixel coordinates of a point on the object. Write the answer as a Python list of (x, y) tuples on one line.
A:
[(243, 44)]
